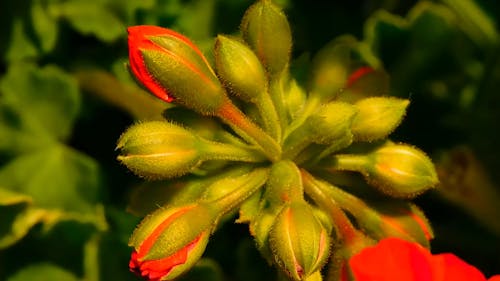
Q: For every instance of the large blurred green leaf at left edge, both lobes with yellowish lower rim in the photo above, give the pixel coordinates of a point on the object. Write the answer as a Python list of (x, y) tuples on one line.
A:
[(43, 180)]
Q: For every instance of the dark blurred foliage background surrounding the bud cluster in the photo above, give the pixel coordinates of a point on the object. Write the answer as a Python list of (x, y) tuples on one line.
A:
[(67, 207)]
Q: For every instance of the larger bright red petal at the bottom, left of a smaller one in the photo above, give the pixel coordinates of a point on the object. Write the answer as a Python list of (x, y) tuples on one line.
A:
[(392, 259)]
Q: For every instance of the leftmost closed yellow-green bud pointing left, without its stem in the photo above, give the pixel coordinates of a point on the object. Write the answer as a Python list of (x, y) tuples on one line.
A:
[(159, 150)]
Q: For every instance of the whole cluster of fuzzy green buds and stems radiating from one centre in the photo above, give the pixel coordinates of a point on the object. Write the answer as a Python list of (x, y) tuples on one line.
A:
[(286, 159)]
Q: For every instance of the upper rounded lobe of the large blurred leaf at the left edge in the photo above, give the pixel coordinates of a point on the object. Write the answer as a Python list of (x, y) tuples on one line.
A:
[(44, 100)]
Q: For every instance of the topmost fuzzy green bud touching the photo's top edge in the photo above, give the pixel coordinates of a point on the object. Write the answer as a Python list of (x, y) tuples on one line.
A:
[(266, 29)]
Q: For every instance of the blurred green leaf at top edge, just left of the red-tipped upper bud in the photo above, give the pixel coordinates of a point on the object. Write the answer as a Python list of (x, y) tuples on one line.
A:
[(91, 18)]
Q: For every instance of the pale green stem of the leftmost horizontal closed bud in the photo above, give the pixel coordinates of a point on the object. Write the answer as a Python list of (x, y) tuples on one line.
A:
[(222, 151)]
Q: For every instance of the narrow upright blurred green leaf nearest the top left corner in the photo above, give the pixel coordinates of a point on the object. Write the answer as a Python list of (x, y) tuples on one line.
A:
[(45, 26)]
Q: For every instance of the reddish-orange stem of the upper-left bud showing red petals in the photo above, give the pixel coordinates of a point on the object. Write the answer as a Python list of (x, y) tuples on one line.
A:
[(232, 116)]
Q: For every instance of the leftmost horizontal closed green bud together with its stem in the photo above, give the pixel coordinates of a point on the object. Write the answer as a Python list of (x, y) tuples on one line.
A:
[(163, 150)]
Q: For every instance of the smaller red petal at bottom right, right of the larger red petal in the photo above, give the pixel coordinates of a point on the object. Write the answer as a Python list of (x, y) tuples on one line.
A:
[(450, 267)]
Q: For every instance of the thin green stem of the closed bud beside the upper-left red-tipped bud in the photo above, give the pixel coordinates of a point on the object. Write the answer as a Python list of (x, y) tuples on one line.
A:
[(269, 115)]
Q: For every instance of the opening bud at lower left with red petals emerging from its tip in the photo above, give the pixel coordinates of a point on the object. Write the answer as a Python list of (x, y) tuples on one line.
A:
[(169, 242)]
